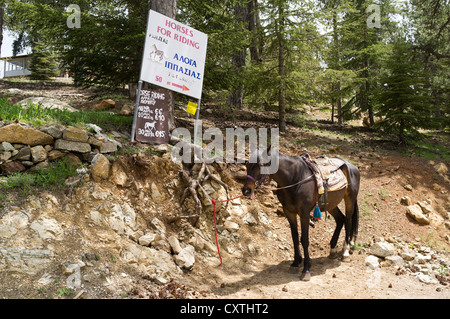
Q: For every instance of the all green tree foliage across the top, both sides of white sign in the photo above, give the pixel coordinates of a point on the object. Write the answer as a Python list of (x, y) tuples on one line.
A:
[(299, 61)]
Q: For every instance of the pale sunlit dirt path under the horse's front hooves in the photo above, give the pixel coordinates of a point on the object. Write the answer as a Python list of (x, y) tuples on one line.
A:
[(332, 279)]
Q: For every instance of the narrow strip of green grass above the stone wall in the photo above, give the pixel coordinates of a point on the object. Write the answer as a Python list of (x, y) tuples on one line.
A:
[(38, 116)]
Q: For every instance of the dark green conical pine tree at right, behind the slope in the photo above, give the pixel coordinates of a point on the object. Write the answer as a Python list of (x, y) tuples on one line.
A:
[(404, 94)]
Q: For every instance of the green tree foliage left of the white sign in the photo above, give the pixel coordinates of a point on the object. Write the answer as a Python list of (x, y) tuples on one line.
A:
[(105, 51)]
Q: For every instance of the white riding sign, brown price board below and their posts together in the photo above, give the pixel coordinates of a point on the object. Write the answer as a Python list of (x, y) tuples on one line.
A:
[(174, 58)]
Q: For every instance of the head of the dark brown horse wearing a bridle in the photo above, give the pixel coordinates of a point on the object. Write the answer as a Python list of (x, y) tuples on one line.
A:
[(254, 177)]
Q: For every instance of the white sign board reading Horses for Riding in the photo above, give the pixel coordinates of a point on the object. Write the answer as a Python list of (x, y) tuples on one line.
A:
[(174, 55)]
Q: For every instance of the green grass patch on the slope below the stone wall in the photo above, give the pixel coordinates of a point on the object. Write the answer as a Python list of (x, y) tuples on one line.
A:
[(50, 178)]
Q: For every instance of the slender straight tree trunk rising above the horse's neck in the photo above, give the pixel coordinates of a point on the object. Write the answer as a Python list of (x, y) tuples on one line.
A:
[(281, 69)]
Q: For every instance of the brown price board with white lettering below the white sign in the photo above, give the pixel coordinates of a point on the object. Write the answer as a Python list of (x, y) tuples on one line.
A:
[(152, 122)]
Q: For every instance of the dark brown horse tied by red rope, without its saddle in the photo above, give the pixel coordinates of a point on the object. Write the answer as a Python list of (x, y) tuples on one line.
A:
[(301, 199)]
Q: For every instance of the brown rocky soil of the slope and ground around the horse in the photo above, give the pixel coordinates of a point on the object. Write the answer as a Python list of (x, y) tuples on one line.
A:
[(122, 233)]
